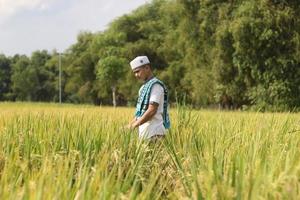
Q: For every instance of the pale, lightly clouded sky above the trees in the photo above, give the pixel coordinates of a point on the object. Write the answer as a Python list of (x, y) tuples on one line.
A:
[(30, 25)]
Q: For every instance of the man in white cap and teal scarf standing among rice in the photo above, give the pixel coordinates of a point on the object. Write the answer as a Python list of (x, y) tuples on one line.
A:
[(151, 116)]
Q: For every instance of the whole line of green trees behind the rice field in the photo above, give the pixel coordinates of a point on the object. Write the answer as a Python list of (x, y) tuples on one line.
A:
[(236, 54)]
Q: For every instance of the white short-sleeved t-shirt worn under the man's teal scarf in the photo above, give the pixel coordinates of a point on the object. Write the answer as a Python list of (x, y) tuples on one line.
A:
[(155, 125)]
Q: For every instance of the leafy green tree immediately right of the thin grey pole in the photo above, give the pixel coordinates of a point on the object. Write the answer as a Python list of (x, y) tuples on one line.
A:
[(79, 67)]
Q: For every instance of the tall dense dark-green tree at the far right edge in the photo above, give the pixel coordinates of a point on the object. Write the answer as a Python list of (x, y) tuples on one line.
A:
[(265, 36)]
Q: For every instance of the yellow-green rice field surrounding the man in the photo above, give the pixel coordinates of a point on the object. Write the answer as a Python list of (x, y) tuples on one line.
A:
[(51, 151)]
